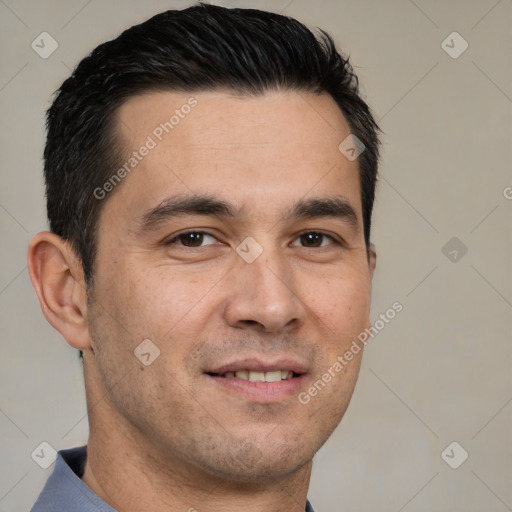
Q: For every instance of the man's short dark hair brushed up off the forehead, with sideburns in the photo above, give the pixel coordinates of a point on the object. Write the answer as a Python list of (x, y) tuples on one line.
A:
[(204, 47)]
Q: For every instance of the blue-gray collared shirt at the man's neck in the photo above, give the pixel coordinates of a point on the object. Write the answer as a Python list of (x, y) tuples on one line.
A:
[(65, 492)]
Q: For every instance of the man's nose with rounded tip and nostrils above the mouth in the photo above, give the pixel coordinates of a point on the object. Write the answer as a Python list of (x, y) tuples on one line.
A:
[(262, 296)]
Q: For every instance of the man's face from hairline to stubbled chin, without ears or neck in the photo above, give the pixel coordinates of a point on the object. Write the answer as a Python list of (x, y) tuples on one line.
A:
[(209, 308)]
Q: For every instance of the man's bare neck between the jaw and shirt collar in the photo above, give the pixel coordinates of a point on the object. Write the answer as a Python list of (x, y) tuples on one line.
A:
[(131, 473)]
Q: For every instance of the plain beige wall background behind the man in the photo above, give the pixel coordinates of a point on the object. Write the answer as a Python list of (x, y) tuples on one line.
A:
[(441, 370)]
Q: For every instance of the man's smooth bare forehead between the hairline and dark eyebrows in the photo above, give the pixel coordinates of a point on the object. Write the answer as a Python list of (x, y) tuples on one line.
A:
[(278, 147)]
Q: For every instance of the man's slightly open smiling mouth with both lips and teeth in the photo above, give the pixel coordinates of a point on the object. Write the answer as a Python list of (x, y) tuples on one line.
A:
[(258, 381)]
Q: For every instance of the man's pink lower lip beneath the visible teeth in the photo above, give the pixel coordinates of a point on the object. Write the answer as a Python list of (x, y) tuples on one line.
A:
[(261, 392)]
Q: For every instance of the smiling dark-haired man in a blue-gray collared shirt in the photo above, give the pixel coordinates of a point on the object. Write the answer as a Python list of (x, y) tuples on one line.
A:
[(210, 181)]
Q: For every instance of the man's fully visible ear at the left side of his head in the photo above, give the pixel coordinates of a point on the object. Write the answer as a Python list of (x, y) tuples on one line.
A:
[(57, 277)]
